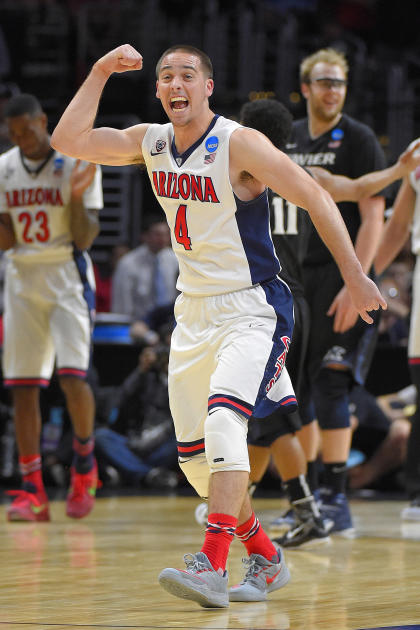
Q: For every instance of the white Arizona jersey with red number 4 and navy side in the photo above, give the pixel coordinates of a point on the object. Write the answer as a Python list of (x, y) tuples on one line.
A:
[(222, 244)]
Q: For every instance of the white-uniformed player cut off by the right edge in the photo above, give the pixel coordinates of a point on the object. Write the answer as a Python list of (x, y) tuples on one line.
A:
[(406, 218)]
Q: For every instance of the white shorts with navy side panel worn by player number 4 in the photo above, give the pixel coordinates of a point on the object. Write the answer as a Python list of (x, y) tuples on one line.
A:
[(229, 350)]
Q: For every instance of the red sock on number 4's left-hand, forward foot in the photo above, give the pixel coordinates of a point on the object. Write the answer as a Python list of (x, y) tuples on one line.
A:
[(219, 534)]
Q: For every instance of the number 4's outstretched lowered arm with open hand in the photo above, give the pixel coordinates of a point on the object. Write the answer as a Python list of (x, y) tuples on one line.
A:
[(252, 152)]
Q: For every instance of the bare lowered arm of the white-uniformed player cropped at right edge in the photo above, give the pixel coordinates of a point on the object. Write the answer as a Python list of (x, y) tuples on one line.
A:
[(397, 228)]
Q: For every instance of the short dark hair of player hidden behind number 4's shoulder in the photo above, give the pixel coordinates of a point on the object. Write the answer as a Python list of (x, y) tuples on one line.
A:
[(270, 117)]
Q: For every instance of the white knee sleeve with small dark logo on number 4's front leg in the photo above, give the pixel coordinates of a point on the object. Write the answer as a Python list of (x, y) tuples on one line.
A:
[(225, 438)]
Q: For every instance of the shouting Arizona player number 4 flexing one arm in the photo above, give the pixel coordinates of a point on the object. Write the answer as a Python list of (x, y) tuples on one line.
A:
[(234, 315)]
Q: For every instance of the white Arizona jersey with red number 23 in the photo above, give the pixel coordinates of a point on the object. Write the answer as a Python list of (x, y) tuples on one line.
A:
[(37, 196)]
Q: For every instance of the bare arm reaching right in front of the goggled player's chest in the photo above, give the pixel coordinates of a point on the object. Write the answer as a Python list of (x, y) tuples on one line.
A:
[(343, 188)]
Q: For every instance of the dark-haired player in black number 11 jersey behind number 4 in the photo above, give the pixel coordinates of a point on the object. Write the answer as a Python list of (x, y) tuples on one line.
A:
[(291, 228)]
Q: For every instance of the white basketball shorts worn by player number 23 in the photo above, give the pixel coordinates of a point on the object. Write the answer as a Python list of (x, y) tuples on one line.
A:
[(46, 319)]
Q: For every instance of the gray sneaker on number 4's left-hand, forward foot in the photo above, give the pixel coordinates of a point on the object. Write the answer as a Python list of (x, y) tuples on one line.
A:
[(199, 582)]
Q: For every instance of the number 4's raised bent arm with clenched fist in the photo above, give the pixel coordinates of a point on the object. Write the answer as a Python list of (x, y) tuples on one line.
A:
[(75, 136)]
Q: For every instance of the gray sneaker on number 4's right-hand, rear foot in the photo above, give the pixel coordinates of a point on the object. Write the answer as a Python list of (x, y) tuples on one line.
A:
[(262, 577)]
